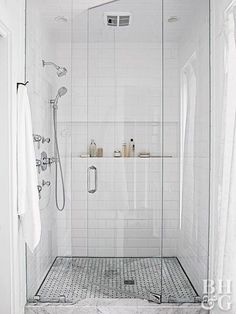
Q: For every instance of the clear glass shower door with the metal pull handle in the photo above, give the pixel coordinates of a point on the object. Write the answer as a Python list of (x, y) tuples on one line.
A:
[(124, 178)]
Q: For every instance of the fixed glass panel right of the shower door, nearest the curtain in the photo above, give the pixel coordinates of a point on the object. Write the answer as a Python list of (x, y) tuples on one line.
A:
[(186, 111)]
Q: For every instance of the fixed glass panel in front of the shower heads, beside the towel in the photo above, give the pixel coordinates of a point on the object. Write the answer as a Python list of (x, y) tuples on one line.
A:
[(48, 38)]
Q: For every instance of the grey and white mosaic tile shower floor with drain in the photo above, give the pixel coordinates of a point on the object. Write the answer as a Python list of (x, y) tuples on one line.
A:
[(72, 279)]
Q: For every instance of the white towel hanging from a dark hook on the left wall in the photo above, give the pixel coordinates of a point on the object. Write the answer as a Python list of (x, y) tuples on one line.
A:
[(28, 200)]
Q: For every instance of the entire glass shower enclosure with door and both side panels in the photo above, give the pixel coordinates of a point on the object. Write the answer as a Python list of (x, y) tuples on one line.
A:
[(134, 135)]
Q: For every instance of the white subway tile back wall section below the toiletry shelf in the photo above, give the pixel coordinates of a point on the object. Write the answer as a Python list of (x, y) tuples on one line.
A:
[(124, 216)]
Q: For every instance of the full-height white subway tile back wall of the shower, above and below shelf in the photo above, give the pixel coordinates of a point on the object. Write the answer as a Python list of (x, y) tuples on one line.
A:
[(123, 100)]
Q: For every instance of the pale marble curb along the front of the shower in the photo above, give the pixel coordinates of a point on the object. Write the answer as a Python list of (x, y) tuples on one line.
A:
[(113, 306)]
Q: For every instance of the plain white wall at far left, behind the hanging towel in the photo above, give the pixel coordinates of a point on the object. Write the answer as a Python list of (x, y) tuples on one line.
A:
[(12, 280)]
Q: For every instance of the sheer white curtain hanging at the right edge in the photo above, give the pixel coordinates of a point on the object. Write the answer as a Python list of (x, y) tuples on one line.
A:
[(225, 235)]
